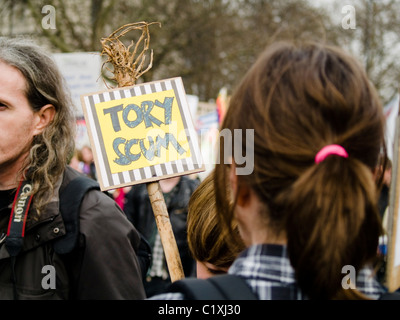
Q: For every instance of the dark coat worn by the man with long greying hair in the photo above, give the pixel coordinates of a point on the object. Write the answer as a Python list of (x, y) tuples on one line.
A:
[(104, 265)]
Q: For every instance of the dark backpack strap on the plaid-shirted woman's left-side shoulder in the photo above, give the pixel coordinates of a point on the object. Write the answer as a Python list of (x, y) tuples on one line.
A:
[(221, 287)]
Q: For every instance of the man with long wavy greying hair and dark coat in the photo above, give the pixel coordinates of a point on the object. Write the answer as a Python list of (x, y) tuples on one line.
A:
[(37, 139)]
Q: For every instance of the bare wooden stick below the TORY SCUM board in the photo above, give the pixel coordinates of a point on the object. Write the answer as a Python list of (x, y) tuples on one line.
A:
[(165, 230)]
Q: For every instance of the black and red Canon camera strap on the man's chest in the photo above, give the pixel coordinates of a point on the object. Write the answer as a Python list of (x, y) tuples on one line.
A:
[(19, 213)]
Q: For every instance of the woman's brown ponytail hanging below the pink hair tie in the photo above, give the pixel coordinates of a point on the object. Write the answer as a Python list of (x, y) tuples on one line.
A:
[(332, 221)]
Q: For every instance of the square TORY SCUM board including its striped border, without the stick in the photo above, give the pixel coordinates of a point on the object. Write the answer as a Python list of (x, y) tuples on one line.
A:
[(141, 133)]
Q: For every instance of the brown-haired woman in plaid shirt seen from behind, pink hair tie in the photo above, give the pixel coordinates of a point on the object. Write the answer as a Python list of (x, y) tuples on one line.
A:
[(307, 211)]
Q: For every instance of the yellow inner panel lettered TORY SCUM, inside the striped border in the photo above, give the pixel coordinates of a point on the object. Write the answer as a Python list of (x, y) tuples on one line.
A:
[(143, 130)]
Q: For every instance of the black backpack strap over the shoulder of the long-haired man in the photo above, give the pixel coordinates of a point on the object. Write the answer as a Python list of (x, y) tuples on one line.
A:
[(70, 203)]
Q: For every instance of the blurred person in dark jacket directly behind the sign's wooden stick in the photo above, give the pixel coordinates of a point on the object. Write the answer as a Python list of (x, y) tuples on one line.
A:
[(177, 192)]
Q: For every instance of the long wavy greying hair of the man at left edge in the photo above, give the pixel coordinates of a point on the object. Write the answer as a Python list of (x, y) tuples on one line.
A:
[(51, 149)]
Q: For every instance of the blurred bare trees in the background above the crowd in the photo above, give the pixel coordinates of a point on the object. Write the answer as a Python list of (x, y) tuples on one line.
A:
[(211, 43)]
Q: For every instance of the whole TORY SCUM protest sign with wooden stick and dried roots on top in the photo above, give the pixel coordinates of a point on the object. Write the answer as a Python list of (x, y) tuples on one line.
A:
[(128, 65)]
